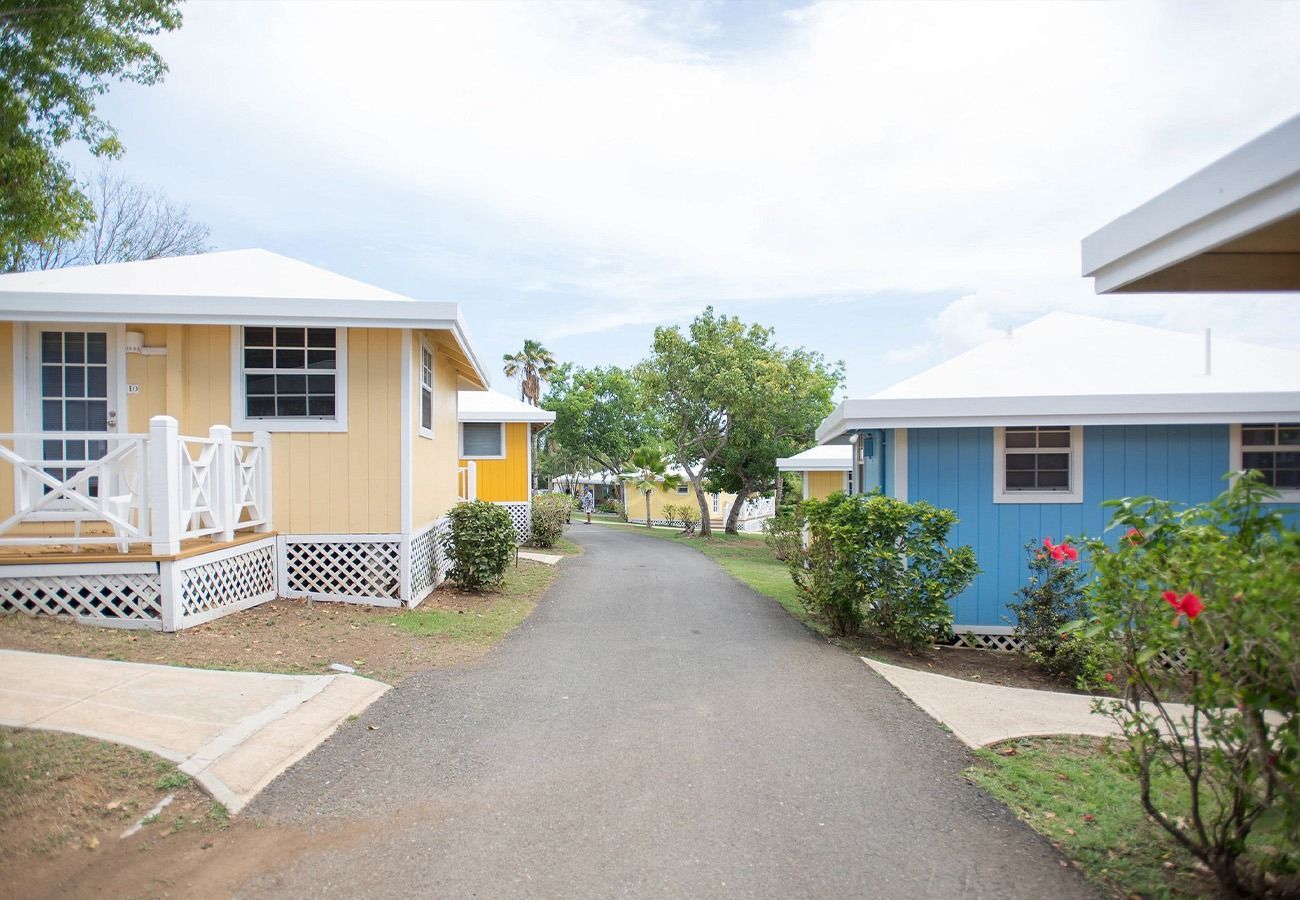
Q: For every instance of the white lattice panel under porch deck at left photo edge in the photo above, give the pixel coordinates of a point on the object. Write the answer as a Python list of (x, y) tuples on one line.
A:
[(107, 596)]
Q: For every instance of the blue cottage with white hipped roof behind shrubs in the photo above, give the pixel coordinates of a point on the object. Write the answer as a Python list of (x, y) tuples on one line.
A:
[(1028, 435)]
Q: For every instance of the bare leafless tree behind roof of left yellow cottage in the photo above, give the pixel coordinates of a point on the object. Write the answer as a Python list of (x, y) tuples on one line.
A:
[(129, 223)]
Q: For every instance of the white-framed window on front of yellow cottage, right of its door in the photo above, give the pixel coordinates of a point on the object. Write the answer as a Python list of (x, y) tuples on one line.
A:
[(291, 379)]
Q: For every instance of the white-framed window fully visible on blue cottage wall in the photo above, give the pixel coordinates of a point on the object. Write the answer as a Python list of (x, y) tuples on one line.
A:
[(1038, 465)]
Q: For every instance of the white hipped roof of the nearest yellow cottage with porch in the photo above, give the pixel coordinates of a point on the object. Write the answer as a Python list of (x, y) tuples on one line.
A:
[(232, 288)]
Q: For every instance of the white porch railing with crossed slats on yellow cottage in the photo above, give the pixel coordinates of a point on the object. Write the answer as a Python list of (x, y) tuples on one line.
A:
[(159, 488)]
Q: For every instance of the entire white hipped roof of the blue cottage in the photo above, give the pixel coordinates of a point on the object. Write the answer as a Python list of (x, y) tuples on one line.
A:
[(1065, 369)]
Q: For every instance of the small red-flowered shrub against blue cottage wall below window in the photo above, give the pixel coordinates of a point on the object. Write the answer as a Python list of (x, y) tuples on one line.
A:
[(1046, 605)]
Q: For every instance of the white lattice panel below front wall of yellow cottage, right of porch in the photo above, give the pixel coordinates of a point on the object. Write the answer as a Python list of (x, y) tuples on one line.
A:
[(344, 569)]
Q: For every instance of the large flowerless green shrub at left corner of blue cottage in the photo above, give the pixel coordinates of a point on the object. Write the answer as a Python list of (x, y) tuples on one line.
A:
[(882, 564)]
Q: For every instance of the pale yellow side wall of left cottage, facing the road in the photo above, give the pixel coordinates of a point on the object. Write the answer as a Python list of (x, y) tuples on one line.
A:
[(434, 461)]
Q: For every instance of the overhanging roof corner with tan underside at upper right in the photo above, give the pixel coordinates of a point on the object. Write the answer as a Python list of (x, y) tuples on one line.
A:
[(1232, 227)]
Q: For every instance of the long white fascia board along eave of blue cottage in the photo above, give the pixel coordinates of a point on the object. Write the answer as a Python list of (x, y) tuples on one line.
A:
[(1090, 410)]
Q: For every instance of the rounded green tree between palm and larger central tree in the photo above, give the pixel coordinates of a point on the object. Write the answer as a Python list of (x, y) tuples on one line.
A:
[(599, 416)]
